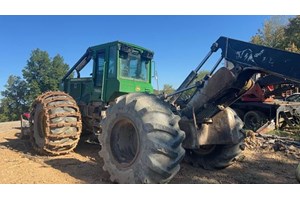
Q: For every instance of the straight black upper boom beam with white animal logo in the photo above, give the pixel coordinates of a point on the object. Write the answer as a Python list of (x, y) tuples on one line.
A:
[(265, 59)]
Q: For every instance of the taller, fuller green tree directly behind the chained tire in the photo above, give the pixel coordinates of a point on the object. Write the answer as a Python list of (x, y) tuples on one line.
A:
[(43, 73)]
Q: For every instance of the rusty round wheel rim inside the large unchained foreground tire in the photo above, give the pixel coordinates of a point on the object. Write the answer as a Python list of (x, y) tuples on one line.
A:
[(124, 142)]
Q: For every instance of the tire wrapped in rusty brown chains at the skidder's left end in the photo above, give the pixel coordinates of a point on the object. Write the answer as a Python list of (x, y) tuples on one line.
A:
[(55, 123)]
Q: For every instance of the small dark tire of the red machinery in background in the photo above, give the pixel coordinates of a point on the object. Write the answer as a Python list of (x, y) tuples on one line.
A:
[(254, 120)]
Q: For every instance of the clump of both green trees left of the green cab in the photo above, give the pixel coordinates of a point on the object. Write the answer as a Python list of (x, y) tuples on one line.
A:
[(41, 73)]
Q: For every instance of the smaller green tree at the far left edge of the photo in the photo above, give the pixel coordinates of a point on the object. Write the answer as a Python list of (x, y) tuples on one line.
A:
[(13, 103)]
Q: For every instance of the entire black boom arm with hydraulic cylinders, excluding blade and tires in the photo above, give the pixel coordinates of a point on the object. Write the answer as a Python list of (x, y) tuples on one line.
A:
[(225, 86)]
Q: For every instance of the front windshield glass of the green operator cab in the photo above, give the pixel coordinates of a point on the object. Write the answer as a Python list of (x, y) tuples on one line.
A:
[(134, 66)]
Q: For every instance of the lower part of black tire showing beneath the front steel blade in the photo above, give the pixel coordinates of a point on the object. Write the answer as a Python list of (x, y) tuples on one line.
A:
[(215, 157)]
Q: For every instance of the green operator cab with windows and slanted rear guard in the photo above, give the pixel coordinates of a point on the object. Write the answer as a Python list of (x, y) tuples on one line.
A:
[(118, 68)]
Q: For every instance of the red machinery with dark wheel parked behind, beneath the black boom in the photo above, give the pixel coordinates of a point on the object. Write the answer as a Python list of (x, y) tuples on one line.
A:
[(265, 102)]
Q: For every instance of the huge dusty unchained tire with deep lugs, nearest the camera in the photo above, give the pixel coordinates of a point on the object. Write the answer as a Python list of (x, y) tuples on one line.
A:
[(141, 140)]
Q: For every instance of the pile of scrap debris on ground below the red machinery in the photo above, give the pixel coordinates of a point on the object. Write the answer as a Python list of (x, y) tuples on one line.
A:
[(288, 146)]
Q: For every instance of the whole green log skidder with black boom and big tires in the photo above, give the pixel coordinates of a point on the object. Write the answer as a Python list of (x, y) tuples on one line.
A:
[(144, 137)]
